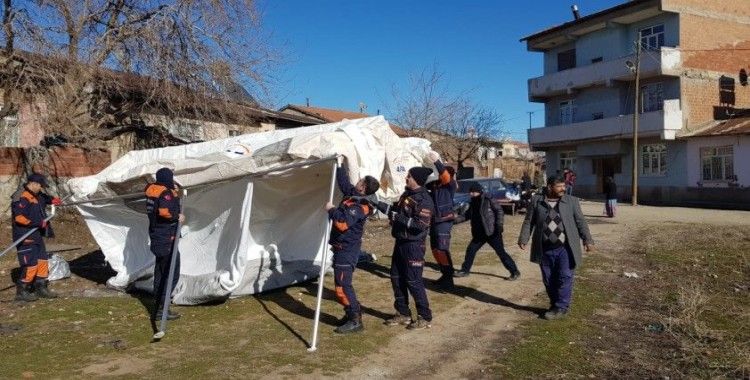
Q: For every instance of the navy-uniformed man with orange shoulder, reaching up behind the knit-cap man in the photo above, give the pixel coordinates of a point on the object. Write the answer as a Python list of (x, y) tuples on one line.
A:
[(442, 191)]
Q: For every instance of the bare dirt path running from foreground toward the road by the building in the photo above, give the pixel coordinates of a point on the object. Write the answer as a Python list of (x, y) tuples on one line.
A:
[(460, 339)]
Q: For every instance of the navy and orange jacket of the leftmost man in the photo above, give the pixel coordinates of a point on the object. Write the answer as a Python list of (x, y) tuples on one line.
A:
[(28, 213)]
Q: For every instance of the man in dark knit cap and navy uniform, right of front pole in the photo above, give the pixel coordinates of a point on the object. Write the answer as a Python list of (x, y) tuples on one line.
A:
[(410, 221)]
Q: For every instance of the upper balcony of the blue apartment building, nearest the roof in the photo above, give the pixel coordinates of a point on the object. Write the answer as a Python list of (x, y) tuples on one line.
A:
[(666, 61)]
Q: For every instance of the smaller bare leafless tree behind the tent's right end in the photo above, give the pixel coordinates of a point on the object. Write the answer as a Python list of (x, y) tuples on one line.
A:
[(455, 124)]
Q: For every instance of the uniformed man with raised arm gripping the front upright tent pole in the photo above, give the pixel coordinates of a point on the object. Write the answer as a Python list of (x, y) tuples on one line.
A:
[(346, 242)]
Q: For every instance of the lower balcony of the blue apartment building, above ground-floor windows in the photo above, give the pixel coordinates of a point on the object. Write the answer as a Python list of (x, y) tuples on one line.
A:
[(664, 123)]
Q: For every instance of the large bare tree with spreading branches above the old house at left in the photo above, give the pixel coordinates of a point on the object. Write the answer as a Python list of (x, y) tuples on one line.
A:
[(93, 69)]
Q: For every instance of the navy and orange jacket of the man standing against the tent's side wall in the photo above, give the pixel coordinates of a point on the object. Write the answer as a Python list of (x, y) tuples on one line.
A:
[(163, 209)]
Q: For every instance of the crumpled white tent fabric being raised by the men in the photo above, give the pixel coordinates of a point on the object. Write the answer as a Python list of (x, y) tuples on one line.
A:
[(254, 205)]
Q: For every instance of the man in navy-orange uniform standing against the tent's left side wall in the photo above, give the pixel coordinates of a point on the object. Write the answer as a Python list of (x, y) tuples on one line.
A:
[(163, 209)]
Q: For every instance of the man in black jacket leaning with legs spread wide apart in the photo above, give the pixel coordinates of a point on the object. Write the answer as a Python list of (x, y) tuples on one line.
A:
[(486, 227)]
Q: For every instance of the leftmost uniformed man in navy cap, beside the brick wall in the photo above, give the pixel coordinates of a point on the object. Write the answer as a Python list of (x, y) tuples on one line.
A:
[(28, 213)]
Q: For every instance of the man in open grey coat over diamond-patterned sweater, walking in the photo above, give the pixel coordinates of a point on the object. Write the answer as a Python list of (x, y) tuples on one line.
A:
[(556, 226)]
